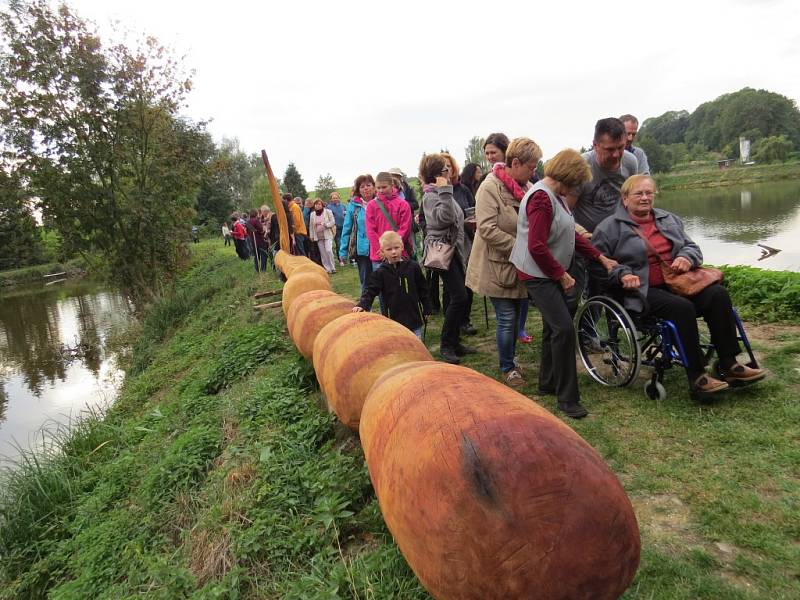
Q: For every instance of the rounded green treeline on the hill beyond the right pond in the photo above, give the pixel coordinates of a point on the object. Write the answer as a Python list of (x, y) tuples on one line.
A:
[(770, 121)]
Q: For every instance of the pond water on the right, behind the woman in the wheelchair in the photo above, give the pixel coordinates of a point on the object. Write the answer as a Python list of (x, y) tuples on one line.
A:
[(728, 223)]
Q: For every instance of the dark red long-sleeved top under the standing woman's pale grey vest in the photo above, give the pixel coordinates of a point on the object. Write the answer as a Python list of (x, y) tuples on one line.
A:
[(540, 216)]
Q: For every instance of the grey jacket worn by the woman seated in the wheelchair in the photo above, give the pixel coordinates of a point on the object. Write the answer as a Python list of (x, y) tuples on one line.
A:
[(616, 238)]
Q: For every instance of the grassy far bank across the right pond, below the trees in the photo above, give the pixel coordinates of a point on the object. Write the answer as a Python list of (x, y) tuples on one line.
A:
[(709, 175)]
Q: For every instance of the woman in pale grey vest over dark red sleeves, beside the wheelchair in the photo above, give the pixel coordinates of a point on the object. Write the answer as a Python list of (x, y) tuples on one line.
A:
[(543, 251)]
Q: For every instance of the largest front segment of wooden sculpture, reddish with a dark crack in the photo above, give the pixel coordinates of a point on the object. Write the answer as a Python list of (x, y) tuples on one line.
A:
[(488, 495)]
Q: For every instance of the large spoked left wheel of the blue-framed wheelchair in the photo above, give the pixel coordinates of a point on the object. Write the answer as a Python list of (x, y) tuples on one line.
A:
[(606, 338)]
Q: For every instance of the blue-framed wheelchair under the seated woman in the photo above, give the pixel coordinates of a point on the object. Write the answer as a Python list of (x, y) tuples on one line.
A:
[(613, 345)]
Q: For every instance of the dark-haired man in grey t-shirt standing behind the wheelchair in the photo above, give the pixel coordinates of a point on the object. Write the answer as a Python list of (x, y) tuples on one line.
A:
[(611, 165)]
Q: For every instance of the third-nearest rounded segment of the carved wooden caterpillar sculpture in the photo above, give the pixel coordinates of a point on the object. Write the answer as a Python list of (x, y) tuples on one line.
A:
[(312, 311)]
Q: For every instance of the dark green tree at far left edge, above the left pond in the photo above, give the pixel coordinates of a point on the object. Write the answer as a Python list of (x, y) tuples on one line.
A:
[(20, 243)]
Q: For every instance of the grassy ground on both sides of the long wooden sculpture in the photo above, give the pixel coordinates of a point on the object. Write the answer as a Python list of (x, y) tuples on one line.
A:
[(217, 474)]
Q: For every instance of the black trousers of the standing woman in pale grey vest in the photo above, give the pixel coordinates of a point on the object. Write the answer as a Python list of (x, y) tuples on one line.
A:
[(557, 370)]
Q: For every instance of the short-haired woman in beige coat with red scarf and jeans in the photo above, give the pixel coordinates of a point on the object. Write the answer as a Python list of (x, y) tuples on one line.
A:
[(490, 273)]
